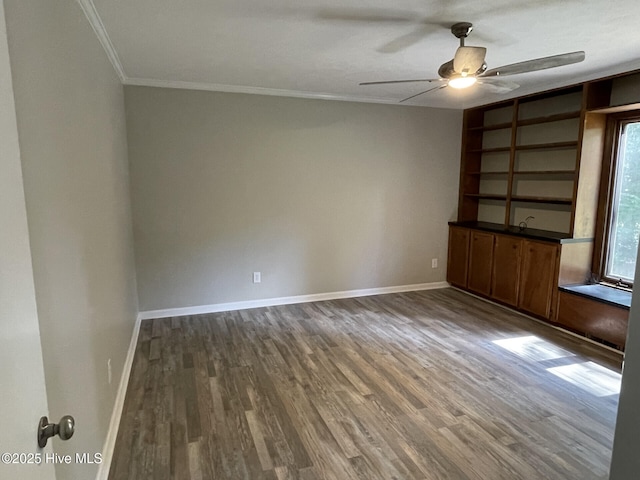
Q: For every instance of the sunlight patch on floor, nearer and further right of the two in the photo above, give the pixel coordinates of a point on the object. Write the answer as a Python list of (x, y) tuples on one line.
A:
[(589, 376)]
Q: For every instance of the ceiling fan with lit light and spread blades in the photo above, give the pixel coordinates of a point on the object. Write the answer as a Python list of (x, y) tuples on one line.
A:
[(468, 67)]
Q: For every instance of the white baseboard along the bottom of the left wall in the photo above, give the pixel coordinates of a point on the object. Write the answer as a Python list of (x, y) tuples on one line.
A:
[(116, 414)]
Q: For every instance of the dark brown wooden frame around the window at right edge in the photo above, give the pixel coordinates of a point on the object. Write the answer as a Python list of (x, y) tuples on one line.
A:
[(615, 123)]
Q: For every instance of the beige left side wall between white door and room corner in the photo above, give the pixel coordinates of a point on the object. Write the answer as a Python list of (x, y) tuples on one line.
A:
[(72, 134)]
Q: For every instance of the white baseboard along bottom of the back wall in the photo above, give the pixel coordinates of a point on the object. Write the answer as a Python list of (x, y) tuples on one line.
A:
[(270, 302)]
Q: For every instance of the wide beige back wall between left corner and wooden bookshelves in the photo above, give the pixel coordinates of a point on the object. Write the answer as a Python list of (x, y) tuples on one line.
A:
[(319, 196)]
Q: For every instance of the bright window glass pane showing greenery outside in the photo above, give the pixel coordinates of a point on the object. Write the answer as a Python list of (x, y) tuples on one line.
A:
[(623, 229)]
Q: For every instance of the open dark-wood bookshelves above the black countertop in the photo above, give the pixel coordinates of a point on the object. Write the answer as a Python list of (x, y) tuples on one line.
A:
[(524, 158)]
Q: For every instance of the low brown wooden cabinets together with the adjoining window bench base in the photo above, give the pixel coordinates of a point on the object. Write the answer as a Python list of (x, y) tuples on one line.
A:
[(524, 273)]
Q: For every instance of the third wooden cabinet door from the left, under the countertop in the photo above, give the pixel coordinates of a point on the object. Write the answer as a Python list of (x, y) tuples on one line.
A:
[(505, 280)]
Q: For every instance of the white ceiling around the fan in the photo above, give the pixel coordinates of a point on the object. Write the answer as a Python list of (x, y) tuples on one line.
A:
[(324, 48)]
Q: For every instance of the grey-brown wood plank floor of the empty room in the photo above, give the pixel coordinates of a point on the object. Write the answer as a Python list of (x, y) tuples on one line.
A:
[(422, 385)]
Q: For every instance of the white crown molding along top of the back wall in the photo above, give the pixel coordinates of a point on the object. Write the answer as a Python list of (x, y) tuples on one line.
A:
[(217, 87)]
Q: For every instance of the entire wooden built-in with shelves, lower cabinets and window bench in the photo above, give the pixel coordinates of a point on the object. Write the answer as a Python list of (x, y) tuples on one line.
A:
[(537, 158)]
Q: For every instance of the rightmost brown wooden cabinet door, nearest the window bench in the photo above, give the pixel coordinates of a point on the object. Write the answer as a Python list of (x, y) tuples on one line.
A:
[(538, 277)]
